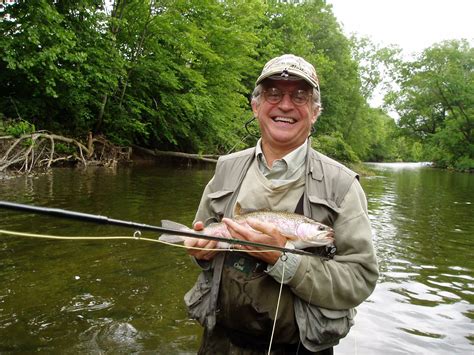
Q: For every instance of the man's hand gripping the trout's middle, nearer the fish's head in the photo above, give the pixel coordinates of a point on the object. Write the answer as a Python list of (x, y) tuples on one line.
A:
[(259, 232)]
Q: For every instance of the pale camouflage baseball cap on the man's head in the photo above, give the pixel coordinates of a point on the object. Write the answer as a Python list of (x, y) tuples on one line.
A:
[(287, 67)]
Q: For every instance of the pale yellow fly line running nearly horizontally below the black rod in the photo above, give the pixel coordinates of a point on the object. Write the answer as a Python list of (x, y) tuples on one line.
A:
[(136, 236)]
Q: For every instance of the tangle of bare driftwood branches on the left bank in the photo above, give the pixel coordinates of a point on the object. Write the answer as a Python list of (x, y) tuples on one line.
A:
[(39, 150)]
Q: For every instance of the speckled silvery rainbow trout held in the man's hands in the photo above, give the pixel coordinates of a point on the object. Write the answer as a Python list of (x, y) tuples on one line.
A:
[(301, 231)]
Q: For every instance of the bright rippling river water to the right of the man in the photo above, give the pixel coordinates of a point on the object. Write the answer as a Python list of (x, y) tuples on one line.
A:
[(423, 232)]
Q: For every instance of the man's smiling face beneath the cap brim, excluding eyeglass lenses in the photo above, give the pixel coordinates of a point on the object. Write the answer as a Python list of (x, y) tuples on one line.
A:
[(285, 125)]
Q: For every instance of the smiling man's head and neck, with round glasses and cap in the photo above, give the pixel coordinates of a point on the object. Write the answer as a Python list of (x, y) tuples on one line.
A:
[(290, 105)]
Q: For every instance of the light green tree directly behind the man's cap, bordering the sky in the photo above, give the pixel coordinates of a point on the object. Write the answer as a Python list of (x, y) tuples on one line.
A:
[(311, 30)]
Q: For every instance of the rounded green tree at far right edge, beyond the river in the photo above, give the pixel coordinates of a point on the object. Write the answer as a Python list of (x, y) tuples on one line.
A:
[(435, 104)]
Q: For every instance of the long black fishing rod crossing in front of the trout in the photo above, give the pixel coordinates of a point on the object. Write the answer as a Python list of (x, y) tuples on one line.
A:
[(139, 226)]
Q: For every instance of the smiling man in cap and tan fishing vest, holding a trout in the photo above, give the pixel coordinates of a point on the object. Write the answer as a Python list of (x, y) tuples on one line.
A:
[(237, 294)]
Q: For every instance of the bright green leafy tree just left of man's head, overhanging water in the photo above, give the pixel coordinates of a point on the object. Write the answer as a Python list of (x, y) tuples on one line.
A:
[(185, 63)]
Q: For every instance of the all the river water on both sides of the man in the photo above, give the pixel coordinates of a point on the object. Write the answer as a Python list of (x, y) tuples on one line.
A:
[(125, 296)]
